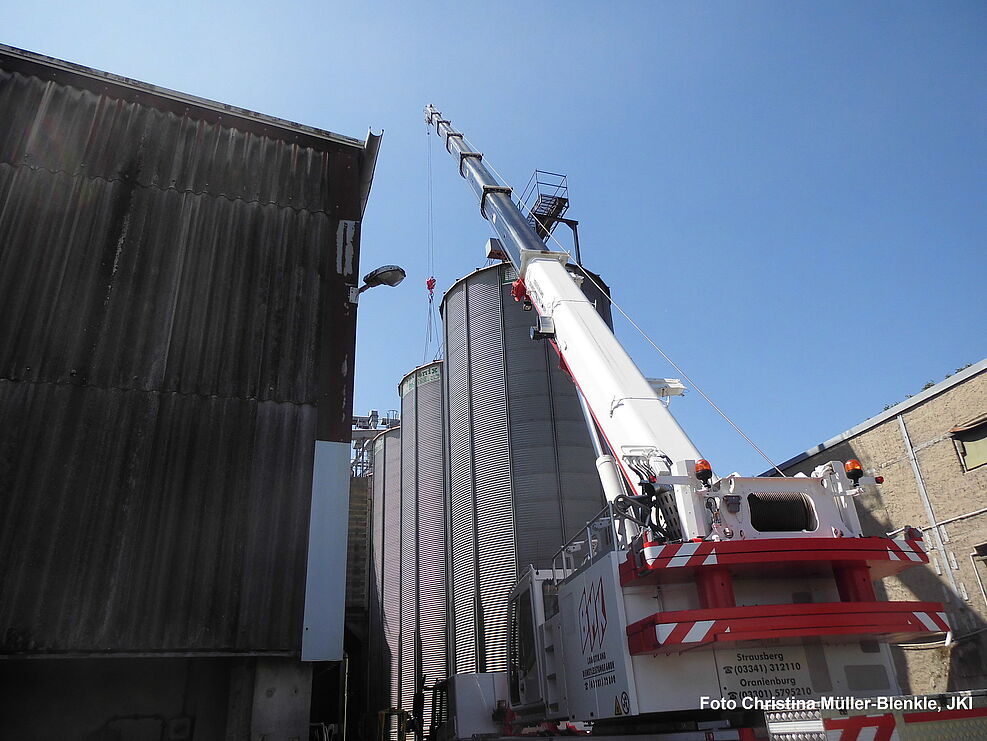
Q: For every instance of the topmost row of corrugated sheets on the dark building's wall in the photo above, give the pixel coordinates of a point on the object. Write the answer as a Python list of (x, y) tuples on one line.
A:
[(81, 133)]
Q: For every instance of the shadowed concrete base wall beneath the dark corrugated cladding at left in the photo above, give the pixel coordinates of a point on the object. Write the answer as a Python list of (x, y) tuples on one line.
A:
[(150, 699)]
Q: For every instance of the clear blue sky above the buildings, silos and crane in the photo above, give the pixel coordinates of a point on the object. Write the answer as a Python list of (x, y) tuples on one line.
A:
[(789, 197)]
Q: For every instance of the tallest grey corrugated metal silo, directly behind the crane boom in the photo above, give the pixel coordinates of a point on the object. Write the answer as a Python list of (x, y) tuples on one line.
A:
[(522, 477)]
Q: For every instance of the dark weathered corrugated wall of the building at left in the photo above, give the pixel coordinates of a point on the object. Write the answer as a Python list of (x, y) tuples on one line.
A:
[(173, 294)]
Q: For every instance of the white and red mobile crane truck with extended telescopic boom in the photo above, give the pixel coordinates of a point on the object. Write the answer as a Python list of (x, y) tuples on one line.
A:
[(705, 606)]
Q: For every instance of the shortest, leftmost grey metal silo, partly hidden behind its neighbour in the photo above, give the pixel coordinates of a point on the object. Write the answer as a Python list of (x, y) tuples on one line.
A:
[(385, 570)]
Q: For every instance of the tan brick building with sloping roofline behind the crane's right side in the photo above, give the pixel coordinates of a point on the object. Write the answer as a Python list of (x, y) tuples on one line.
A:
[(931, 450)]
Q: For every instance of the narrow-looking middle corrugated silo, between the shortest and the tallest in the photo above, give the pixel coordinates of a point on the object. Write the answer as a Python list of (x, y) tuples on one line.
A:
[(424, 601)]
